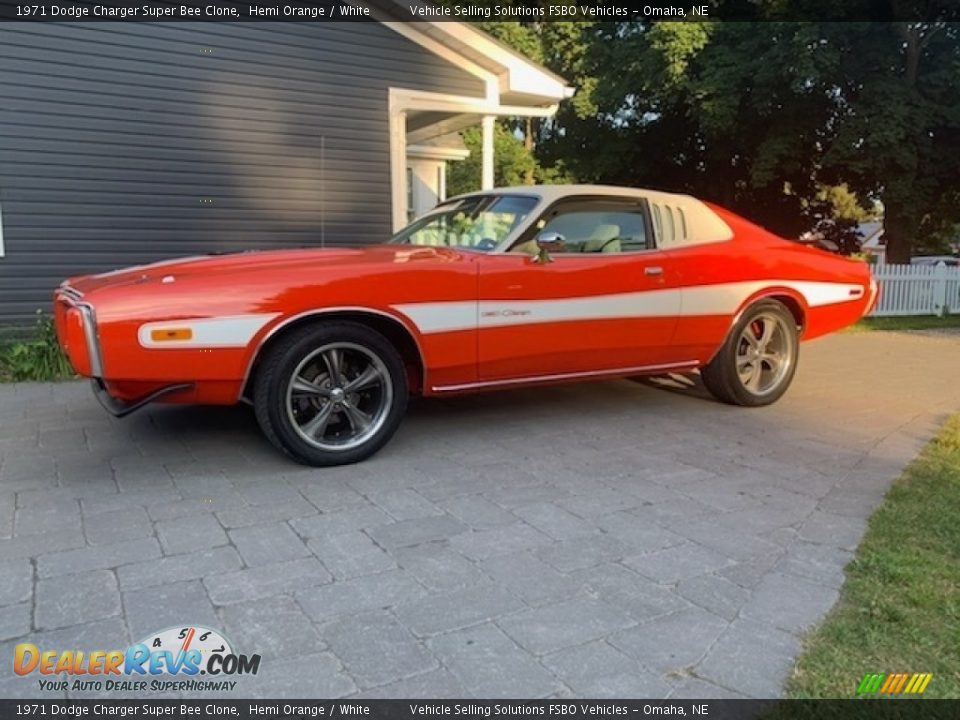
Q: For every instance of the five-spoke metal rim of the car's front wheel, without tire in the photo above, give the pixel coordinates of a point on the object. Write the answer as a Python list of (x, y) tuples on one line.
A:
[(339, 396)]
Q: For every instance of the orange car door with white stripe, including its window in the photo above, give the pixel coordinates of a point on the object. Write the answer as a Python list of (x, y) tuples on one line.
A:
[(606, 300)]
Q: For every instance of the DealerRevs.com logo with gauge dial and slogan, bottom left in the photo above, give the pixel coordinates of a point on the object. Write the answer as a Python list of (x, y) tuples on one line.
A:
[(170, 660)]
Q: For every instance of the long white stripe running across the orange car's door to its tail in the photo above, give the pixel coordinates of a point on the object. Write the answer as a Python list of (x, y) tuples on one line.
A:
[(719, 299)]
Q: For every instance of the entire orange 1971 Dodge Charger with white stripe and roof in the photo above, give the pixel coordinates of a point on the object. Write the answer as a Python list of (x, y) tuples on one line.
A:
[(497, 289)]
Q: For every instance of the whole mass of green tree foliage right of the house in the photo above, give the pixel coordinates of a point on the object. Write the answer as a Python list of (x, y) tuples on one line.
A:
[(762, 116)]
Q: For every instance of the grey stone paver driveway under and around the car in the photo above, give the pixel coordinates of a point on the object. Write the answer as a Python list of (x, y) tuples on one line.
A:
[(608, 539)]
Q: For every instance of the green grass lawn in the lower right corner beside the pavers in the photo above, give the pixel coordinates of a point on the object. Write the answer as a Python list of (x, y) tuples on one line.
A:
[(899, 610)]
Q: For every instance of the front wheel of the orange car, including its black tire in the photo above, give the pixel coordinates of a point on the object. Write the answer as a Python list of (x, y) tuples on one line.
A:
[(319, 421)]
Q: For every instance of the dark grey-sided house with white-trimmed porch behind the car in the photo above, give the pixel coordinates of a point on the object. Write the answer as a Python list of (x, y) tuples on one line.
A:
[(124, 143)]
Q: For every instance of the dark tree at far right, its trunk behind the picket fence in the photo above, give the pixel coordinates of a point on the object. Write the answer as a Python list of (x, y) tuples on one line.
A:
[(897, 125)]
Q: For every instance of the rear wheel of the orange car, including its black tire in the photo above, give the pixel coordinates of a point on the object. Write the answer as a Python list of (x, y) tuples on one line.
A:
[(722, 376)]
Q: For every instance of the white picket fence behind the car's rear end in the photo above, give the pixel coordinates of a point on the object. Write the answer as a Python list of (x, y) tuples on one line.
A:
[(917, 290)]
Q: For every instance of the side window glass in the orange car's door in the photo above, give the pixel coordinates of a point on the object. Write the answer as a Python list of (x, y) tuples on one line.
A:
[(598, 230)]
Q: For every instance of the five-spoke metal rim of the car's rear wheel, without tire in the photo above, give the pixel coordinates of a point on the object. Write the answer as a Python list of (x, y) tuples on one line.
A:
[(764, 355)]
